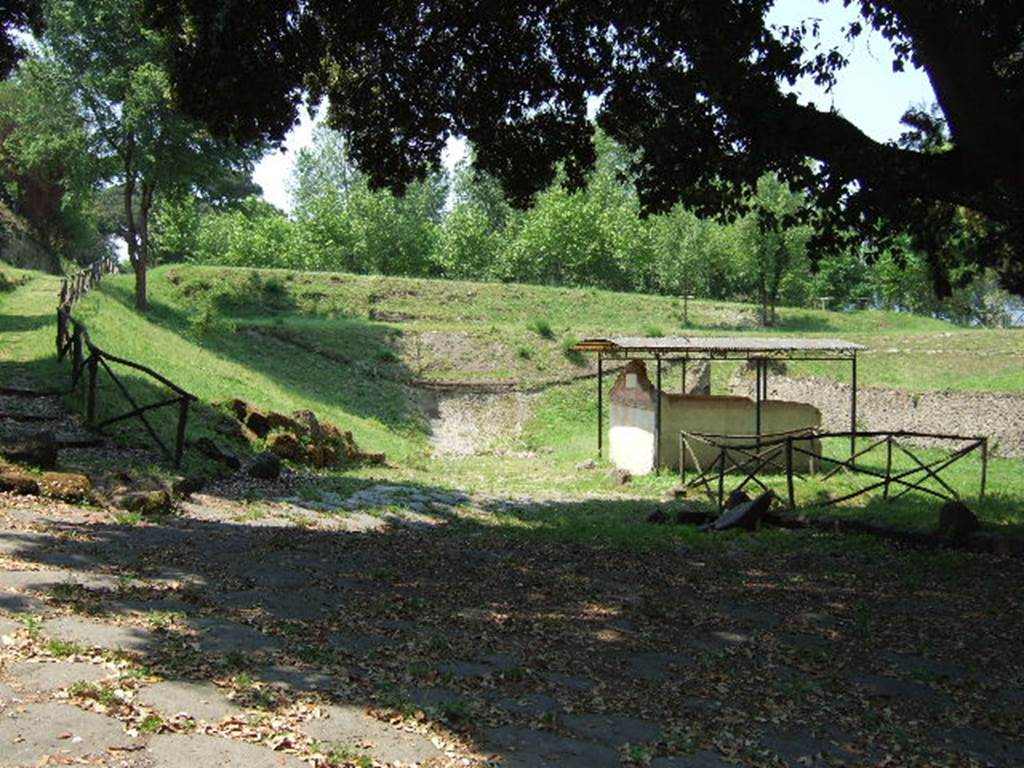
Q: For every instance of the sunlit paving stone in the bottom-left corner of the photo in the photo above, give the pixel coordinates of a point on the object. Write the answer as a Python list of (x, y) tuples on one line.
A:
[(31, 733)]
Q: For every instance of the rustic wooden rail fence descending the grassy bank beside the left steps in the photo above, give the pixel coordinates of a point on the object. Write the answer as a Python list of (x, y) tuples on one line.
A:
[(89, 360)]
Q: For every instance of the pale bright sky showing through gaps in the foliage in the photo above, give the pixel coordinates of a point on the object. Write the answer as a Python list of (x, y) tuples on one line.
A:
[(869, 93)]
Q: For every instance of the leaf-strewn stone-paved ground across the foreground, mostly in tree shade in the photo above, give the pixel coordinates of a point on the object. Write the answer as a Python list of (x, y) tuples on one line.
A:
[(368, 630)]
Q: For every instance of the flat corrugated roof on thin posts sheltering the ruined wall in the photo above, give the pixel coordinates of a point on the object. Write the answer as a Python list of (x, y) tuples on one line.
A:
[(716, 347)]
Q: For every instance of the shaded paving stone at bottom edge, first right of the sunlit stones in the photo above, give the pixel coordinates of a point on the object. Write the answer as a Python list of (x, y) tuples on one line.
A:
[(524, 748)]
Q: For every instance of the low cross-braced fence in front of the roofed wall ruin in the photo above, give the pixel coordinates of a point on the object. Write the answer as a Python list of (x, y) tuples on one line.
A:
[(781, 454)]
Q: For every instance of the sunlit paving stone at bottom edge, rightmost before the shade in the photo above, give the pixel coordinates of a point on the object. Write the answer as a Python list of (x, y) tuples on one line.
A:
[(350, 724)]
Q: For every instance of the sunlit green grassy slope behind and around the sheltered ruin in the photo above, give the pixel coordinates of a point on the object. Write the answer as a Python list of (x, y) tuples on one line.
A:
[(290, 340)]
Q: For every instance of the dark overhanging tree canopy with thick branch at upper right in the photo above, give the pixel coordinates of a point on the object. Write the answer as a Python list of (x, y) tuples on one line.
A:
[(695, 88)]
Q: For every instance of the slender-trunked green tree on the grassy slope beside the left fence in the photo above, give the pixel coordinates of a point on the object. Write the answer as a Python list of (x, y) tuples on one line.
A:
[(117, 67)]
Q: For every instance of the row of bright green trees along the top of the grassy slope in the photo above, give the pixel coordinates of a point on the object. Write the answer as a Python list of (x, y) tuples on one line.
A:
[(463, 229)]
